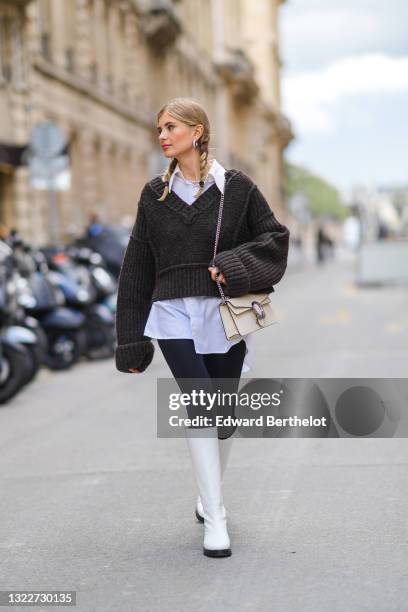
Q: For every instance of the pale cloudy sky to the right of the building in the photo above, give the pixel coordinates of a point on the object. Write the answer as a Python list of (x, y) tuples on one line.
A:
[(345, 89)]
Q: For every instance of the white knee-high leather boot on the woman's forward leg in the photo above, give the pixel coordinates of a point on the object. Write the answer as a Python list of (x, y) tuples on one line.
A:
[(205, 458)]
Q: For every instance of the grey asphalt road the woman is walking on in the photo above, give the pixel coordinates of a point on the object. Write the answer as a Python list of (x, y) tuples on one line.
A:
[(92, 501)]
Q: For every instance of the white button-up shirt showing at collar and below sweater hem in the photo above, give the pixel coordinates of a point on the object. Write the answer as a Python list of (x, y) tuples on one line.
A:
[(195, 318)]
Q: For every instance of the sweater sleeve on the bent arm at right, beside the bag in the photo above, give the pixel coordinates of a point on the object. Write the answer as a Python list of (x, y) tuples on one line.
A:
[(259, 264)]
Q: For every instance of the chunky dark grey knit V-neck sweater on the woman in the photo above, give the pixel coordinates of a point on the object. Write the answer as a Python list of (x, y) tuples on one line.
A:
[(172, 244)]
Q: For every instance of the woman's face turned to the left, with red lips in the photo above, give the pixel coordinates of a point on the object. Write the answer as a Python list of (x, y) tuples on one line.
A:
[(175, 137)]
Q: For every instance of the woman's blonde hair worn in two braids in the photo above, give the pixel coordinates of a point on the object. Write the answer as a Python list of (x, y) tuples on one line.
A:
[(191, 113)]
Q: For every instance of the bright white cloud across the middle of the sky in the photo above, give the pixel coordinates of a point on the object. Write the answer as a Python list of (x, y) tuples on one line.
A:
[(310, 99)]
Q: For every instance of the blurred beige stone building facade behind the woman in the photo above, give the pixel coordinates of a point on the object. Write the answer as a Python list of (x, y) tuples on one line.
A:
[(101, 69)]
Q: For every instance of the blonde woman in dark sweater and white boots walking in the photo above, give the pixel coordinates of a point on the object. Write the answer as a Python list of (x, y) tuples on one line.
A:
[(168, 291)]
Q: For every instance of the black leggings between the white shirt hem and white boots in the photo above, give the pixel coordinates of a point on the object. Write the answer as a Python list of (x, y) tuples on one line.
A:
[(185, 364)]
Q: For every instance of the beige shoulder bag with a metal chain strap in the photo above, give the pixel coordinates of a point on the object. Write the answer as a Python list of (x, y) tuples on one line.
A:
[(244, 314)]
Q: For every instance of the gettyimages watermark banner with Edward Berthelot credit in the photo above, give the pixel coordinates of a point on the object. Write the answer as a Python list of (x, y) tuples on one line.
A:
[(290, 407)]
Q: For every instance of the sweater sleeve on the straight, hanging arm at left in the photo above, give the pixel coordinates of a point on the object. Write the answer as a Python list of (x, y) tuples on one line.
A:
[(135, 288)]
